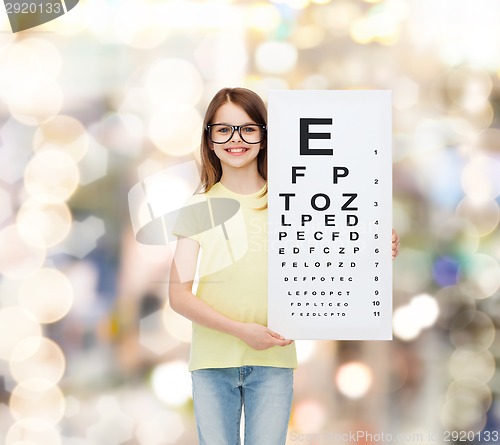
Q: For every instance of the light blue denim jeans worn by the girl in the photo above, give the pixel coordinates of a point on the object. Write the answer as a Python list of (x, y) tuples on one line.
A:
[(219, 394)]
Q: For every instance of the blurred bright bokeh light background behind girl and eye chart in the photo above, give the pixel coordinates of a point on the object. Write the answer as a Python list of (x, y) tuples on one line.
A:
[(112, 94)]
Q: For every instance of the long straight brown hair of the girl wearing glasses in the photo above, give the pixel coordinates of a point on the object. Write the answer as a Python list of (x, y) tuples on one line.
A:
[(253, 105)]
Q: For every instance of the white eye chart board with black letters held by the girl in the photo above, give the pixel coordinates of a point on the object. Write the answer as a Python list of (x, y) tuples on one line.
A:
[(330, 214)]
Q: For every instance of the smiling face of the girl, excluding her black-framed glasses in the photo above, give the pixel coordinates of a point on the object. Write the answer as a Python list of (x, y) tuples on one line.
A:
[(235, 153)]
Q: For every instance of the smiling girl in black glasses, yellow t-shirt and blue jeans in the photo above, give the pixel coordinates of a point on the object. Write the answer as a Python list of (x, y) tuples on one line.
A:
[(236, 360)]
